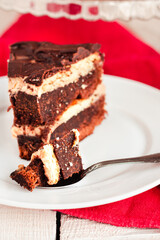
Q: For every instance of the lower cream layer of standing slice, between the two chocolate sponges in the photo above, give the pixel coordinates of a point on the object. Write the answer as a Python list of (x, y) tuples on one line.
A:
[(73, 110)]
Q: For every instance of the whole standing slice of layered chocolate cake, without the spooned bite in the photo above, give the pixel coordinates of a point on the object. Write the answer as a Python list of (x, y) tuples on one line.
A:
[(53, 89)]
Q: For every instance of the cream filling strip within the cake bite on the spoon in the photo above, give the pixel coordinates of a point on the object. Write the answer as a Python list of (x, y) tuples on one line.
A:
[(50, 163)]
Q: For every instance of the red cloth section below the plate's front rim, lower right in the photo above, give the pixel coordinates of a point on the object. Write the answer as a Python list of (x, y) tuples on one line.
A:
[(141, 211)]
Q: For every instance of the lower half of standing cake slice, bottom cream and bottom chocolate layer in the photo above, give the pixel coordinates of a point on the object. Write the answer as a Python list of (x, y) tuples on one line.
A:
[(83, 115)]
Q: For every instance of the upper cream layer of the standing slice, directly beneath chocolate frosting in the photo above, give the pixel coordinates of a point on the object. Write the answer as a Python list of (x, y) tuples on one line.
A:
[(59, 79)]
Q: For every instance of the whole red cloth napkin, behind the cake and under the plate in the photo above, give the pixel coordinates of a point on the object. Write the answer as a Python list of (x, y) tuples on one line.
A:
[(126, 56)]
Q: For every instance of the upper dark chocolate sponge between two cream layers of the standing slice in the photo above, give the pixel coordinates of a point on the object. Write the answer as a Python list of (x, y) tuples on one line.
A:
[(31, 110)]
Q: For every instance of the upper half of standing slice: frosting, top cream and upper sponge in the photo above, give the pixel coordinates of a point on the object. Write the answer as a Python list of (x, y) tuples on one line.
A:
[(45, 78)]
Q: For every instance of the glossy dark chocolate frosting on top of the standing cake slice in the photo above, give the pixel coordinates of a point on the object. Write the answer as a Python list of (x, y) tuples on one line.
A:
[(38, 60)]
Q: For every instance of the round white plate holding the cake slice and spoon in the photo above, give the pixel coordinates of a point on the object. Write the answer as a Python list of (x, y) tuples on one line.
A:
[(132, 128)]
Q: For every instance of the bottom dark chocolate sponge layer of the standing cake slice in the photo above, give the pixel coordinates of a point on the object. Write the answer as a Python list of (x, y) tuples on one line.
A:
[(85, 122)]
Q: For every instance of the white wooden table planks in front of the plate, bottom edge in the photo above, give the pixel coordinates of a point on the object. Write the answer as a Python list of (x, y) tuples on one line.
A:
[(24, 224)]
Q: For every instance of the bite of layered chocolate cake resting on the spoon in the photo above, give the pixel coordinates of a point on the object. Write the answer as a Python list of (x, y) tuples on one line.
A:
[(52, 163)]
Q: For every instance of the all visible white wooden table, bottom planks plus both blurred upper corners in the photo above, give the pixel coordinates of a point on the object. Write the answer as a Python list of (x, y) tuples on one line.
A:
[(23, 224)]
